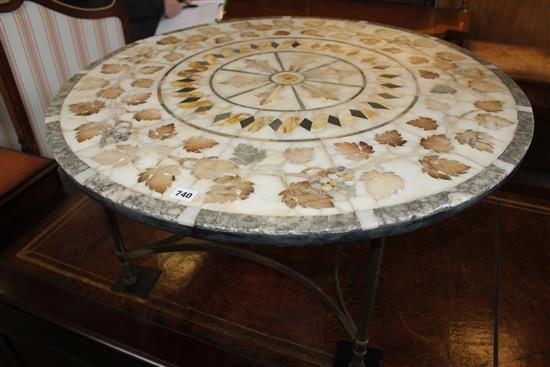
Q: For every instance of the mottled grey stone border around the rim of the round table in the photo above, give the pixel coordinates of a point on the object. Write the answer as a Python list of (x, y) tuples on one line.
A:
[(302, 230)]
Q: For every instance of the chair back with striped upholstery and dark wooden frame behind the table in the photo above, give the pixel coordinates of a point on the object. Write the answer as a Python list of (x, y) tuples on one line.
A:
[(43, 43)]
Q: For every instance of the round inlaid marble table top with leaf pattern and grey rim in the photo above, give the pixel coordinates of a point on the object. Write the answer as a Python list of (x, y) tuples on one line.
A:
[(295, 130)]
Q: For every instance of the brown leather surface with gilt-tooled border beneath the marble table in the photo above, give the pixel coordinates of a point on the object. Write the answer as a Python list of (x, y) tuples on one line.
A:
[(459, 293)]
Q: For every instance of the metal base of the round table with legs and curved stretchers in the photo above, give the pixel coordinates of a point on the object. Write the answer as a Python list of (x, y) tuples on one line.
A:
[(139, 280)]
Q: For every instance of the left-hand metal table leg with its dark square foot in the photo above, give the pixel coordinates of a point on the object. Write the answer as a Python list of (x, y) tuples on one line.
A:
[(135, 280)]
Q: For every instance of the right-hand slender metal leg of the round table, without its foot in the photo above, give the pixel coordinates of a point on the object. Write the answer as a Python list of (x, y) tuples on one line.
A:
[(360, 340)]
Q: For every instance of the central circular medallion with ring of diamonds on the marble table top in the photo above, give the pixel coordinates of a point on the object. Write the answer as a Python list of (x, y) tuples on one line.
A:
[(288, 90)]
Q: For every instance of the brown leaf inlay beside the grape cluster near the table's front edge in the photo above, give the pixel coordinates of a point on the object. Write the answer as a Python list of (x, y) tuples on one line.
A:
[(303, 194)]
